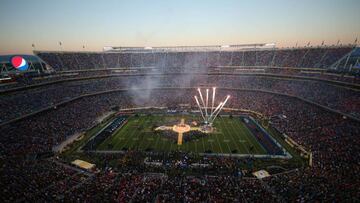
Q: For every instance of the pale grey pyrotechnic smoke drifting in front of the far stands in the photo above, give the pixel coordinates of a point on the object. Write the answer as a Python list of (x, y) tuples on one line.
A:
[(164, 63)]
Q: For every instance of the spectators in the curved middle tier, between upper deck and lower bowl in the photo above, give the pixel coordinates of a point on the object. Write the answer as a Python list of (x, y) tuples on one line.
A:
[(26, 101)]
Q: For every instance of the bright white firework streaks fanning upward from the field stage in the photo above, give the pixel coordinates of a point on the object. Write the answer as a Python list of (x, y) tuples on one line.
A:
[(209, 113)]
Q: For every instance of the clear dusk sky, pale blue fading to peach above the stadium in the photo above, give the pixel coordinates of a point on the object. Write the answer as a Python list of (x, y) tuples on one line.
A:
[(98, 23)]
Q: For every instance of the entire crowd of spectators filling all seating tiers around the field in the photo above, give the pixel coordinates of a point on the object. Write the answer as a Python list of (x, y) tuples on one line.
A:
[(331, 138)]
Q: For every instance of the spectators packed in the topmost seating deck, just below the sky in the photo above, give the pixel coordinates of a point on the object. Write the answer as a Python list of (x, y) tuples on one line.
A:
[(283, 61)]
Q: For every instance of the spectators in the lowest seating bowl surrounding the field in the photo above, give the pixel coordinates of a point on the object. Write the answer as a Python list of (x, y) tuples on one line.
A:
[(332, 138)]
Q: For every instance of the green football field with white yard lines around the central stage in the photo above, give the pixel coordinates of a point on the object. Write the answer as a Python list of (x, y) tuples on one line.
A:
[(231, 136)]
